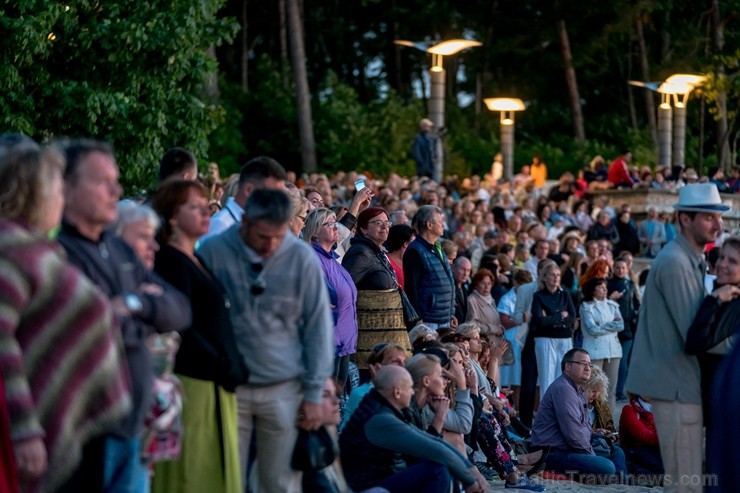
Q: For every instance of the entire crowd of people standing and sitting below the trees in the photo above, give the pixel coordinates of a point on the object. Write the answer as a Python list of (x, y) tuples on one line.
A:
[(437, 335)]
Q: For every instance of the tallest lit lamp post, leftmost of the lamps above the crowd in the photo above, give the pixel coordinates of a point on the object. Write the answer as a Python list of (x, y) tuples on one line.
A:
[(436, 102)]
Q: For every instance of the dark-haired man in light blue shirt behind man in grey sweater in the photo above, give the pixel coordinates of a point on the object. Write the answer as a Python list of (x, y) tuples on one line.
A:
[(260, 172)]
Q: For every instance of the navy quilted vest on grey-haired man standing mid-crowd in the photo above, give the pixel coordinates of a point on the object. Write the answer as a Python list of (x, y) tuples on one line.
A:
[(428, 282)]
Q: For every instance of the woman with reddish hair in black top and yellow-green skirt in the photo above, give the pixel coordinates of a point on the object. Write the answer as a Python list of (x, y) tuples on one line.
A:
[(207, 363)]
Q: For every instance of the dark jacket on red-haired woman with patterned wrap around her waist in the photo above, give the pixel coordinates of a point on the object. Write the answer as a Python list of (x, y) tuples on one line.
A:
[(368, 265)]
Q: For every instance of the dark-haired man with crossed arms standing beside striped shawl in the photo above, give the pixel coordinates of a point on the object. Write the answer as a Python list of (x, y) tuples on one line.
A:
[(142, 301)]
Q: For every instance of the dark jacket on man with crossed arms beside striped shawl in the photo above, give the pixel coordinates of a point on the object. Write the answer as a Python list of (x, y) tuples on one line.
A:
[(113, 266)]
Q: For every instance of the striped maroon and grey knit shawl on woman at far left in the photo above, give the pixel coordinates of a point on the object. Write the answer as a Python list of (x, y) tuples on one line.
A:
[(66, 380)]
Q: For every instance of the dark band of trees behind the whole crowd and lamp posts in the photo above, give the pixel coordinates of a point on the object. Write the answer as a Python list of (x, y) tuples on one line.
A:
[(139, 74)]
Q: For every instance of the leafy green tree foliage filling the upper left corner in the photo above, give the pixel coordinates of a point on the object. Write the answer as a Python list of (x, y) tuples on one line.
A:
[(128, 72)]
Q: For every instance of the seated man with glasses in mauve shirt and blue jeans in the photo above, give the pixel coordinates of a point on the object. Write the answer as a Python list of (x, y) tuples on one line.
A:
[(562, 423)]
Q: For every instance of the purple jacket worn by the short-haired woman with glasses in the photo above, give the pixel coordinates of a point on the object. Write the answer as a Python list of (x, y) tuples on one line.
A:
[(343, 296)]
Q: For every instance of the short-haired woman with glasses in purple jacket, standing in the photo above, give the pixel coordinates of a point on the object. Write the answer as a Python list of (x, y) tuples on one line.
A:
[(320, 231)]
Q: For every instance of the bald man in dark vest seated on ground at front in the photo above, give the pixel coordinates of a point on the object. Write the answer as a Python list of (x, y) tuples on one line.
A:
[(376, 439)]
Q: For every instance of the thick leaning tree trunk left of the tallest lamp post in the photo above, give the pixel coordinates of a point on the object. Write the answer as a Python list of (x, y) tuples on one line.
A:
[(298, 57)]
